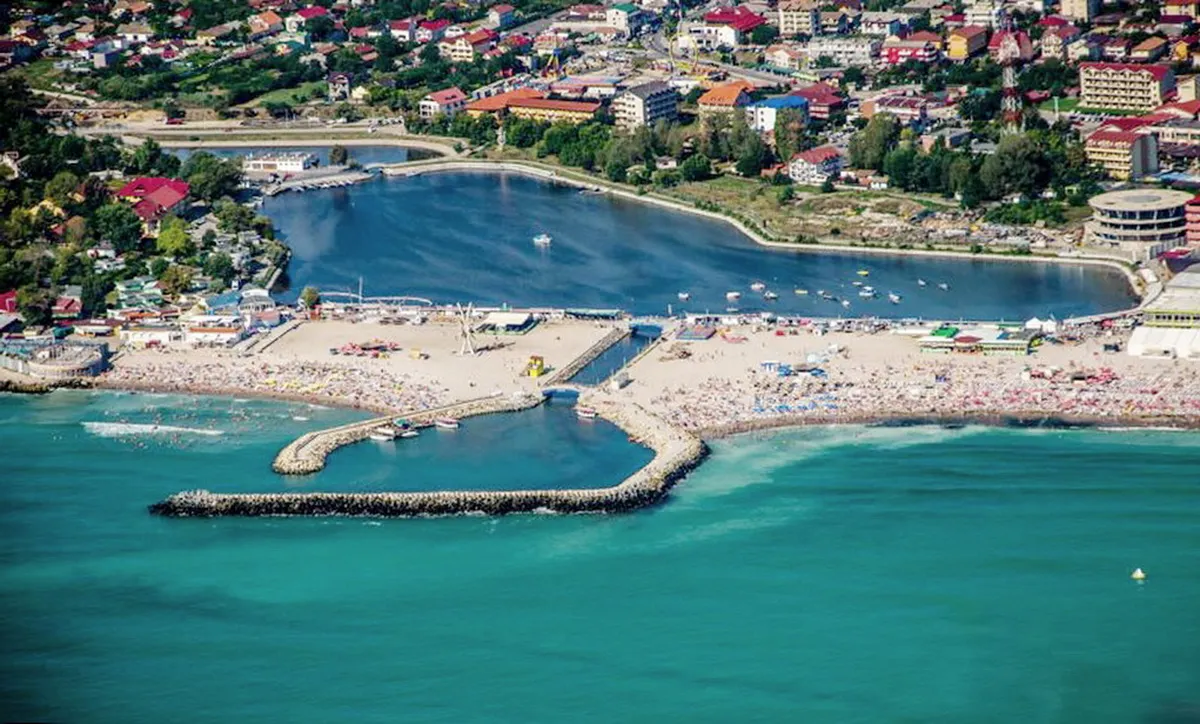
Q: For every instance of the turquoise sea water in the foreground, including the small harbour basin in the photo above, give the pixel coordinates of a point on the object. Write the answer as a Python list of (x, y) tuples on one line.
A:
[(838, 575)]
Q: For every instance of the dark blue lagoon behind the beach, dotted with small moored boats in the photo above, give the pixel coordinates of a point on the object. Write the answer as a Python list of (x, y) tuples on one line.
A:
[(467, 237)]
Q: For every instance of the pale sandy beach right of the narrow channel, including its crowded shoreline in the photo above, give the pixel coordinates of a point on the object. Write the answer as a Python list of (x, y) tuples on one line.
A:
[(717, 388)]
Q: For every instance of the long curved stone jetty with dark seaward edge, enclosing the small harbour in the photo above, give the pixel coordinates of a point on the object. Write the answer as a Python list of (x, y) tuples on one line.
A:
[(676, 454)]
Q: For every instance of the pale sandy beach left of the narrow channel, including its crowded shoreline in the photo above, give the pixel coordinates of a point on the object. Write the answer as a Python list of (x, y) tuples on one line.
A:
[(424, 372)]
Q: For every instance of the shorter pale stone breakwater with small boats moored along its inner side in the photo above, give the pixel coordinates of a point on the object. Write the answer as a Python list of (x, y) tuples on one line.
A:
[(308, 453)]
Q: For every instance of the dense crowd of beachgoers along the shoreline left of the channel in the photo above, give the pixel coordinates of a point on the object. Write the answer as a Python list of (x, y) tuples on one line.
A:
[(376, 390)]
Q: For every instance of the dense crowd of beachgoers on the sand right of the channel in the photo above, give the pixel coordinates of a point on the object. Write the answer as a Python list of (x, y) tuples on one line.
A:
[(935, 387)]
